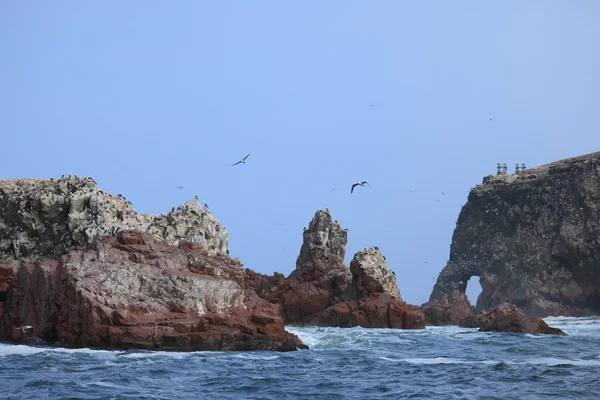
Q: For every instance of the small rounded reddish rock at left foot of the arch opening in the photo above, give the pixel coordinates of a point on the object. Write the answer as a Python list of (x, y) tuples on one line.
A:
[(448, 309)]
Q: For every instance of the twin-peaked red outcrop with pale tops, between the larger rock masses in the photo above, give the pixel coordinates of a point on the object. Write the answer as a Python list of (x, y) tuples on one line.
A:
[(323, 291)]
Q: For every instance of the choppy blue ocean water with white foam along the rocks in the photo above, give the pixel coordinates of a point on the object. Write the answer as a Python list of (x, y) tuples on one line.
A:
[(435, 363)]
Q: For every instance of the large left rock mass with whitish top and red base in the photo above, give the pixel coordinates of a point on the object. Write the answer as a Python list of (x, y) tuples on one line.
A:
[(83, 269)]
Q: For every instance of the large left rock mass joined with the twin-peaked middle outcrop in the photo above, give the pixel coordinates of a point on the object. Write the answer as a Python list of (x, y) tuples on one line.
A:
[(83, 269)]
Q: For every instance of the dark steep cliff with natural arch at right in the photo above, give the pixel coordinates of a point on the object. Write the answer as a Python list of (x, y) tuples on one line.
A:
[(533, 240)]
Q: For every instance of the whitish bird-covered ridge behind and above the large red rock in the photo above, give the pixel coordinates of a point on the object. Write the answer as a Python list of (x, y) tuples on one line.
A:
[(50, 217)]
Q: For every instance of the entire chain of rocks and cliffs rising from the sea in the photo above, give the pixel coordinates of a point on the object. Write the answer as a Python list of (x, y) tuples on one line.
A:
[(79, 267)]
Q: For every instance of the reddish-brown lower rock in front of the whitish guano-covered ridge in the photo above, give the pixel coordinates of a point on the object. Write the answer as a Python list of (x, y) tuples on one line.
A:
[(132, 291)]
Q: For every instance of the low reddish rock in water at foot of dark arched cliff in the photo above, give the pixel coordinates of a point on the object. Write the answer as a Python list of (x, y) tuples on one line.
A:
[(509, 318)]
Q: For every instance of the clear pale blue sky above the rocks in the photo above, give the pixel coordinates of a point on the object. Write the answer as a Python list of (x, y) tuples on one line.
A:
[(148, 95)]
